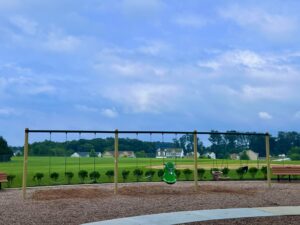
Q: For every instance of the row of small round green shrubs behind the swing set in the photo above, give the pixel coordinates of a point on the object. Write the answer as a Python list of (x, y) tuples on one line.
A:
[(94, 176)]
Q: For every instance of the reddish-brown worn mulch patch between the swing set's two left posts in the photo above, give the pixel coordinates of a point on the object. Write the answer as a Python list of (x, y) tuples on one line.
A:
[(72, 193)]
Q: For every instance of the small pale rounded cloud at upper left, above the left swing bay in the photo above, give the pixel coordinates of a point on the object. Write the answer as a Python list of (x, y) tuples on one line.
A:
[(61, 43)]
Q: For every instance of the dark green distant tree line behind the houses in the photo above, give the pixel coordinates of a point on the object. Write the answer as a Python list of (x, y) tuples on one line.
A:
[(222, 144)]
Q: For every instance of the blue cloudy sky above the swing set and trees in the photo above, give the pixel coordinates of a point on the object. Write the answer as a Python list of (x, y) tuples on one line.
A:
[(149, 65)]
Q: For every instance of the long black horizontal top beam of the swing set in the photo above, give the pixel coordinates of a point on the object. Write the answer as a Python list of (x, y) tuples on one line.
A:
[(145, 132)]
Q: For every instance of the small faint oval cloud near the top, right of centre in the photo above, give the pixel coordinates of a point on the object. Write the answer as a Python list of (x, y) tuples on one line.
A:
[(190, 20)]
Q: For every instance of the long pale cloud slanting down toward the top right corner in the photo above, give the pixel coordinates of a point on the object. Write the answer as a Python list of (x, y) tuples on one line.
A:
[(256, 18)]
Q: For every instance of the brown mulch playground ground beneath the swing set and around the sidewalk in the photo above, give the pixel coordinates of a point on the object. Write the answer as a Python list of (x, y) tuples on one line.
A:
[(87, 203)]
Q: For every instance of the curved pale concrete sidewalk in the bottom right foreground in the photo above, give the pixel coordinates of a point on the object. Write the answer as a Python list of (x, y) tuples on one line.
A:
[(201, 215)]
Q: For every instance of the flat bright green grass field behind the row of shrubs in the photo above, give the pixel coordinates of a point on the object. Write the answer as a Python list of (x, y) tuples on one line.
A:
[(47, 165)]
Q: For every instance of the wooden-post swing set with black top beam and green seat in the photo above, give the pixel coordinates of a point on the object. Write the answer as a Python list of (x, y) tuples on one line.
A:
[(169, 175)]
